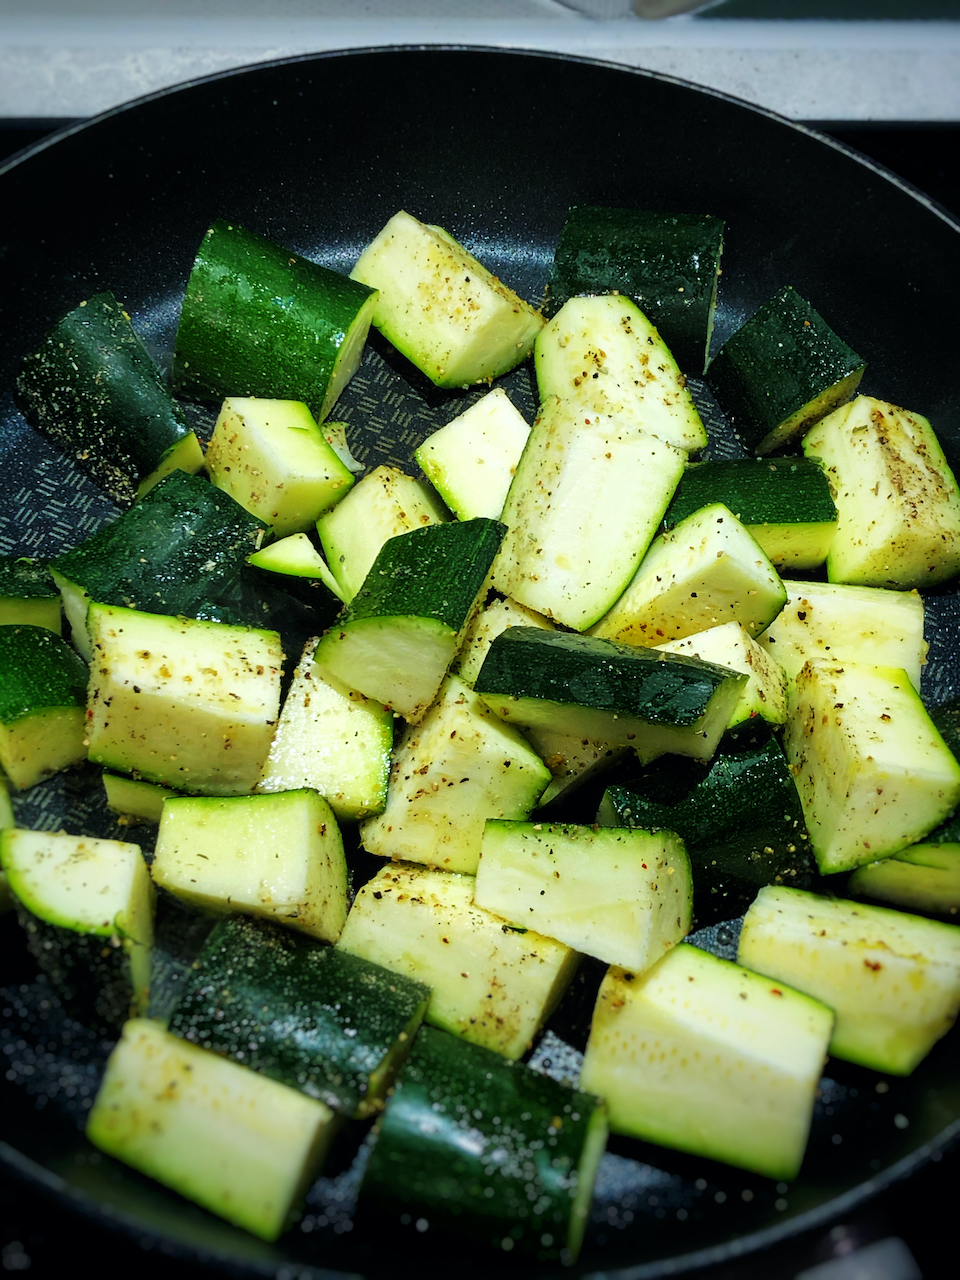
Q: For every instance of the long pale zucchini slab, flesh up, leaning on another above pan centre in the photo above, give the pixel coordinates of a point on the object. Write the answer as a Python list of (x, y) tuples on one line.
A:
[(588, 497)]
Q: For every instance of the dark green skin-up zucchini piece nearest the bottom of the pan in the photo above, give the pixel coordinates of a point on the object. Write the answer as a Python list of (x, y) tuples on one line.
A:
[(491, 1150)]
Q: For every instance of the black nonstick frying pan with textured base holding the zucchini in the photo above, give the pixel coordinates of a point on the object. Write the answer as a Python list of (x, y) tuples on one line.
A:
[(317, 153)]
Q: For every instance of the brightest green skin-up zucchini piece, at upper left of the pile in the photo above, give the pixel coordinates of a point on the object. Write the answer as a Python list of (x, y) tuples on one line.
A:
[(262, 321)]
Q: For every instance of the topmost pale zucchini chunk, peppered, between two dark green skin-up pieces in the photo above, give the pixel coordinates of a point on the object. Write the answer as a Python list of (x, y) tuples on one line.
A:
[(441, 308)]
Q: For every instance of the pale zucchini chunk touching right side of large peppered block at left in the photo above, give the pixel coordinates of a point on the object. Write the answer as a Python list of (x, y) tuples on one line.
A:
[(333, 740)]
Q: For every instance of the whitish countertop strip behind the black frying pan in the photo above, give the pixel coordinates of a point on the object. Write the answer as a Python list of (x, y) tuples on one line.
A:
[(76, 58)]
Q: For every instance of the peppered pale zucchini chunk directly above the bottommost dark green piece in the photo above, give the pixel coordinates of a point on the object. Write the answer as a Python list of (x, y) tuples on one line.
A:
[(491, 984)]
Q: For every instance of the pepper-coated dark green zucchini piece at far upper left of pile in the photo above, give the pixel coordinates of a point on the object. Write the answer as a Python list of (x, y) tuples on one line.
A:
[(94, 388)]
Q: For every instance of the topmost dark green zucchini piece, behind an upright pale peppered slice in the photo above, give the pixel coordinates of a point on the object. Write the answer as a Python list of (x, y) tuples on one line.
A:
[(669, 264)]
